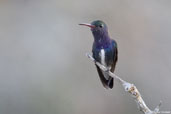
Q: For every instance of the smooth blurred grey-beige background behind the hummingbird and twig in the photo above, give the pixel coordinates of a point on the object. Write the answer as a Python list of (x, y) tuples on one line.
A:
[(43, 67)]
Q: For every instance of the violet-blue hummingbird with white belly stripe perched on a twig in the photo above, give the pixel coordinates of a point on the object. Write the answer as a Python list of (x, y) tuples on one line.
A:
[(104, 51)]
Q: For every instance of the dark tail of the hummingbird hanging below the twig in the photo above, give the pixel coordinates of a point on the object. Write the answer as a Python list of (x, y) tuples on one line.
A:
[(106, 80)]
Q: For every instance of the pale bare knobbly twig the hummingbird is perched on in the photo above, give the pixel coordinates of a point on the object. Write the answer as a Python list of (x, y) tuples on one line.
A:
[(130, 88)]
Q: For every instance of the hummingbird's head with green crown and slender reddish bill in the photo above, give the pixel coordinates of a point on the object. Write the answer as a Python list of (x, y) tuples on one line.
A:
[(98, 28)]
